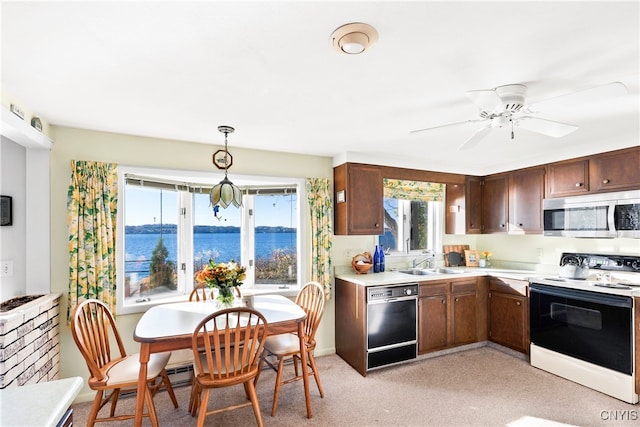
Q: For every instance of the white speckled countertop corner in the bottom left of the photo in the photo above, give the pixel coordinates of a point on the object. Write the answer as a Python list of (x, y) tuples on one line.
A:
[(41, 404)]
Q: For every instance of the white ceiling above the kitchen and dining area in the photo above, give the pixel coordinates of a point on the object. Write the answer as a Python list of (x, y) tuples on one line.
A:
[(177, 70)]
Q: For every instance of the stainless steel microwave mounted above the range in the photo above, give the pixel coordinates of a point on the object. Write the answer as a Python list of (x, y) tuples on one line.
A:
[(605, 215)]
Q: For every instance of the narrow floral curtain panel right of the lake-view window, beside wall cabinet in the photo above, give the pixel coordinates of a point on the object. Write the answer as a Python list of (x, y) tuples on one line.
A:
[(321, 210)]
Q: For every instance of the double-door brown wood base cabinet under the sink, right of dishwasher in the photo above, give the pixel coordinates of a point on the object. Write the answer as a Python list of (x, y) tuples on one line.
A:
[(447, 314)]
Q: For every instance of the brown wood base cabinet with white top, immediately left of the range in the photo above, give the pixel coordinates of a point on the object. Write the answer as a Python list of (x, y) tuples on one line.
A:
[(509, 313)]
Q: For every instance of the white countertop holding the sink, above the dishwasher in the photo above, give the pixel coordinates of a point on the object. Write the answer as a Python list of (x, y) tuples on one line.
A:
[(395, 277)]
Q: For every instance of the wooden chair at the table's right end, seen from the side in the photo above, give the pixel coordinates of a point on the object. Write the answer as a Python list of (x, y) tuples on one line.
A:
[(287, 346)]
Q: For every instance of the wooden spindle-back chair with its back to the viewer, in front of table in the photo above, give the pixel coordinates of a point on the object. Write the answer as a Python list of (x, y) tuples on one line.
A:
[(226, 346)]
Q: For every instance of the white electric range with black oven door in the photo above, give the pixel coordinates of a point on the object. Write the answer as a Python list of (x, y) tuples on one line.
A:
[(583, 329)]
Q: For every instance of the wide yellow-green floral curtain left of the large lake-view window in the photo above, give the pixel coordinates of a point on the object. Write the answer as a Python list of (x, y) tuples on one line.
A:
[(91, 219)]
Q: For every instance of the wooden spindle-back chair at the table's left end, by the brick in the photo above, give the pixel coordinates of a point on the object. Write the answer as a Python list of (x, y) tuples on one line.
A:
[(110, 368)]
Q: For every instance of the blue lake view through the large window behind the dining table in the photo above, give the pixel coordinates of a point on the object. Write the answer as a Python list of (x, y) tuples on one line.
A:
[(156, 248)]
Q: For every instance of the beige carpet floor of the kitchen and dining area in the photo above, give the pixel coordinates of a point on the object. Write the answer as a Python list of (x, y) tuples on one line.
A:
[(478, 387)]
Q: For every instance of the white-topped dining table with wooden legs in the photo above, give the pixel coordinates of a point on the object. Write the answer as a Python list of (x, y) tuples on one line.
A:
[(170, 327)]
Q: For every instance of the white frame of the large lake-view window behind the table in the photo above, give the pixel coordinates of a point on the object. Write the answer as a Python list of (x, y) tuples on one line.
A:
[(185, 233)]
